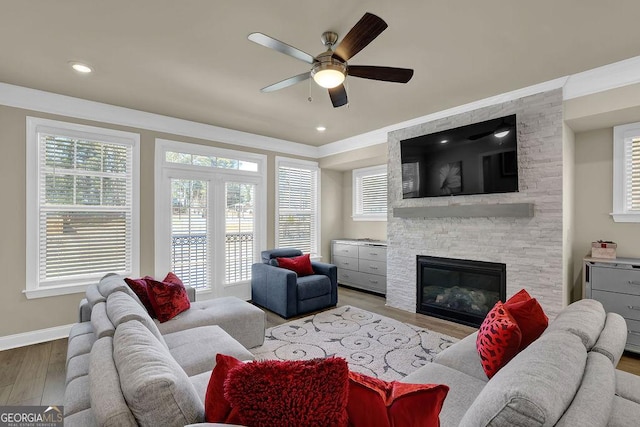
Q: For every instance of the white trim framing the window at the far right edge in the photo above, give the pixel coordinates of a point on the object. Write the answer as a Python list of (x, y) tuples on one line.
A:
[(621, 135)]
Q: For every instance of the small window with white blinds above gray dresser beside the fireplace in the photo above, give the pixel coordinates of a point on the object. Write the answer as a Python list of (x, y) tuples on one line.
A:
[(370, 194)]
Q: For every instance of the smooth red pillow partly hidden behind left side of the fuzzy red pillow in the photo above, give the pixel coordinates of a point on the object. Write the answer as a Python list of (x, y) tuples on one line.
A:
[(217, 408)]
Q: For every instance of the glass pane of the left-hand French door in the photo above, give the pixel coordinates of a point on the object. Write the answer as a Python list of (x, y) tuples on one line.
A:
[(190, 256)]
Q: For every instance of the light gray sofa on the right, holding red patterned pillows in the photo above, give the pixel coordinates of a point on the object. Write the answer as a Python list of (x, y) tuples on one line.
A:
[(567, 377)]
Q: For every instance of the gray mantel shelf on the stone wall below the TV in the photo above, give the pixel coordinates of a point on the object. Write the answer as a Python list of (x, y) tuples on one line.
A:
[(522, 210)]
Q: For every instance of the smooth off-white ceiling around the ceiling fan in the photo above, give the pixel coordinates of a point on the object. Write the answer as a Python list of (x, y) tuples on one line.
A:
[(191, 59)]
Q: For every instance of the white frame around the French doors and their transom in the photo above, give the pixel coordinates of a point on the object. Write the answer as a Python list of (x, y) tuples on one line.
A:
[(162, 226)]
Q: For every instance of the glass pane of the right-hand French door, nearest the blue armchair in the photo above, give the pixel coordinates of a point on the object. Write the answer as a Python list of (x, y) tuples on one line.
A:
[(239, 231)]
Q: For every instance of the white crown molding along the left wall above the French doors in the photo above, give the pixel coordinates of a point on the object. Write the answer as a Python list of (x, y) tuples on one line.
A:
[(63, 105)]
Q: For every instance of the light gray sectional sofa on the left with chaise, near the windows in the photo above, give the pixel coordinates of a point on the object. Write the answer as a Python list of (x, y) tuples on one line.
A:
[(126, 369)]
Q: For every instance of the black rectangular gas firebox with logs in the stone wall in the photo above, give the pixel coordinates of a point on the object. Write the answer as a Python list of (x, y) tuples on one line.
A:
[(459, 290)]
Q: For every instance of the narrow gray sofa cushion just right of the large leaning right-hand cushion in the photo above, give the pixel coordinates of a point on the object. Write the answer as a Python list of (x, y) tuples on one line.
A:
[(593, 402)]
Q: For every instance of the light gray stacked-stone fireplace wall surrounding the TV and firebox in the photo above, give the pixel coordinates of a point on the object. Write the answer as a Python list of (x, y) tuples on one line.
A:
[(531, 247)]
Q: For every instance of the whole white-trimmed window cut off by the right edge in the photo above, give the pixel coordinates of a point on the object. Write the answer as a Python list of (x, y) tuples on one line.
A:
[(626, 173)]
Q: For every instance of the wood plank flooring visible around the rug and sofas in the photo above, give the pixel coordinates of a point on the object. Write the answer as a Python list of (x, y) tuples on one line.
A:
[(34, 375)]
